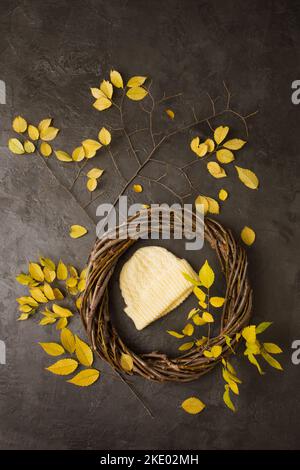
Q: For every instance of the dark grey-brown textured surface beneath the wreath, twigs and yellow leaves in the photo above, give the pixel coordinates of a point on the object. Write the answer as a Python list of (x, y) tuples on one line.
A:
[(51, 52)]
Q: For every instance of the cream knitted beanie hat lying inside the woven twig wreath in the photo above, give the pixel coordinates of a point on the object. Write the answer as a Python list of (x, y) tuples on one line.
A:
[(152, 284)]
